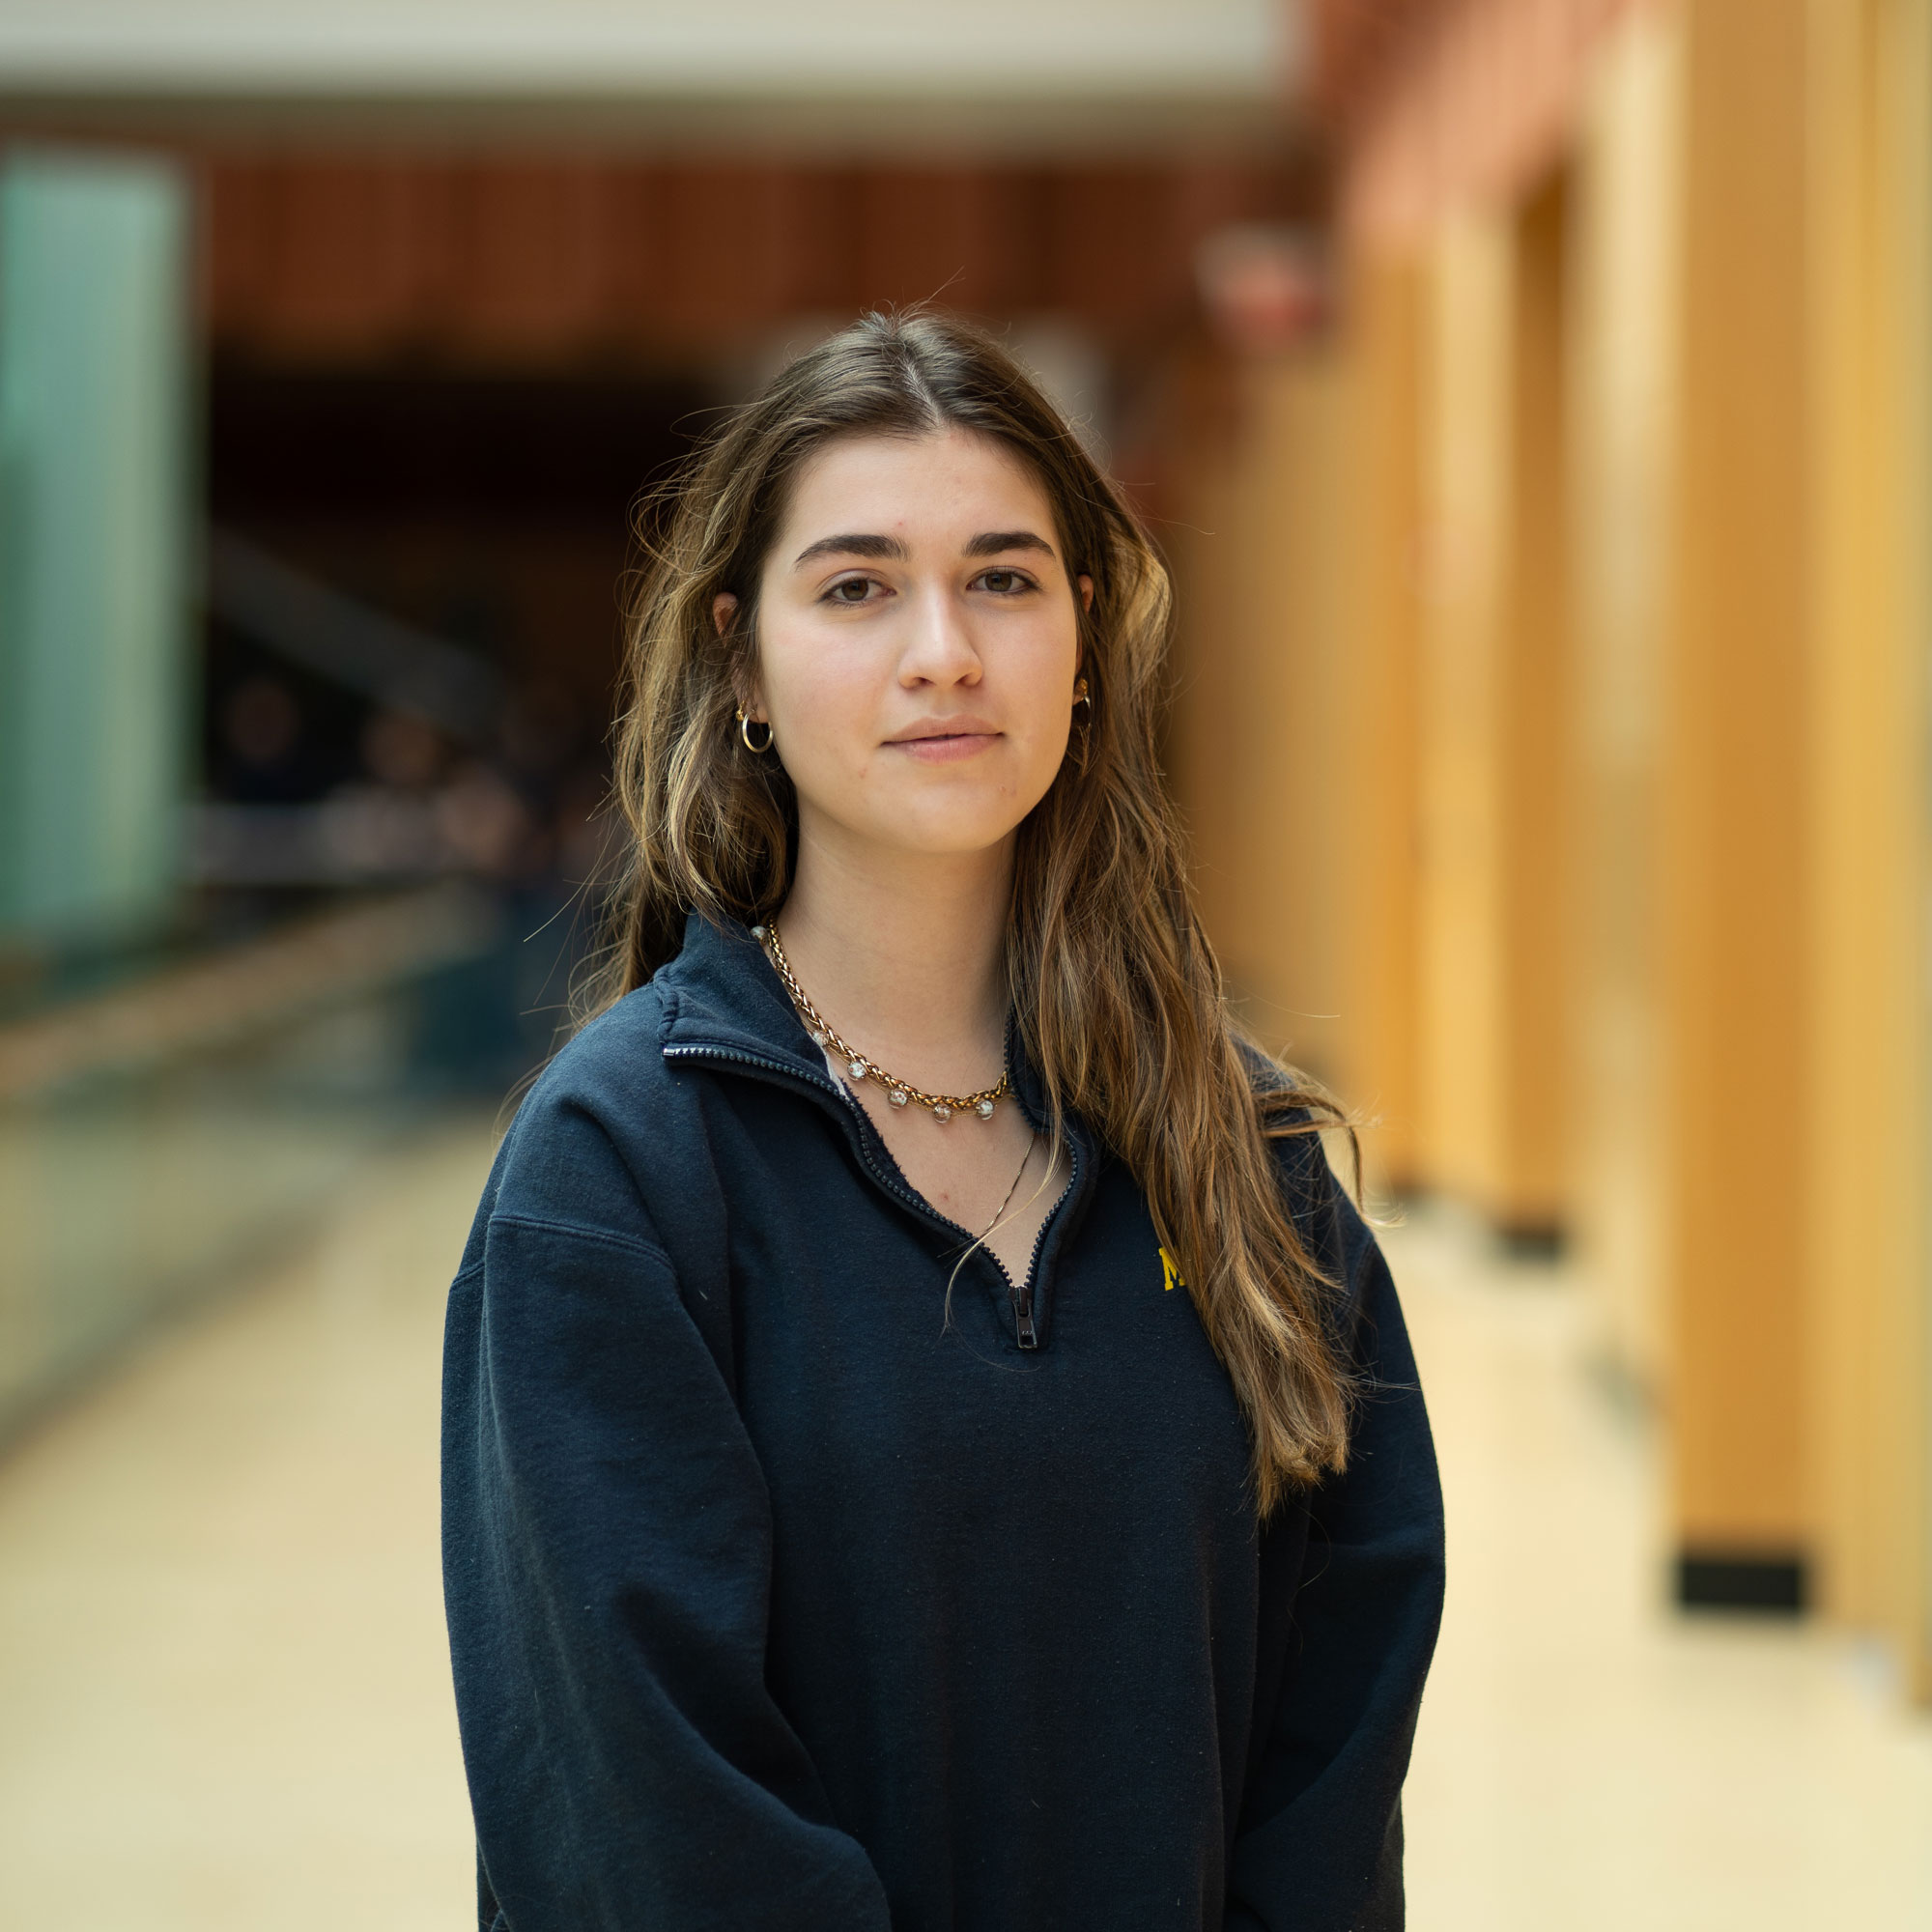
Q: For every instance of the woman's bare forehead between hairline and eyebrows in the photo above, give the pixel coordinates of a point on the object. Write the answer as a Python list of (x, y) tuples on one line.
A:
[(948, 484)]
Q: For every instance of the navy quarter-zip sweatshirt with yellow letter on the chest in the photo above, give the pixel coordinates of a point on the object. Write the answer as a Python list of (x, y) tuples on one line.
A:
[(789, 1595)]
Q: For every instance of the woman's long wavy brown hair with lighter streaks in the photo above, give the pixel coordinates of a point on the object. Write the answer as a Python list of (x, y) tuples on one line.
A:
[(1114, 984)]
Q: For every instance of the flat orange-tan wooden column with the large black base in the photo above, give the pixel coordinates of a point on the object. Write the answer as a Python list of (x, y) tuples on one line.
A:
[(1738, 1094)]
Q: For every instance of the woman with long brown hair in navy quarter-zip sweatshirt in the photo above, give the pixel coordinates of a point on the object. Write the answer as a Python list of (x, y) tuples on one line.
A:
[(926, 1444)]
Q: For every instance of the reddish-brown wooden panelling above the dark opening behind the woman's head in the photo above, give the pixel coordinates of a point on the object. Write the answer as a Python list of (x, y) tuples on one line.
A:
[(528, 260)]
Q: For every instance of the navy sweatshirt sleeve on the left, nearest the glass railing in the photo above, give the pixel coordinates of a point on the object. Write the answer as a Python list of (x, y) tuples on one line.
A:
[(608, 1570)]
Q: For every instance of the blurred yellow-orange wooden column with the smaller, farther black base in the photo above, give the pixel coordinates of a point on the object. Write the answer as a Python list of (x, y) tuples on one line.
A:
[(1496, 737)]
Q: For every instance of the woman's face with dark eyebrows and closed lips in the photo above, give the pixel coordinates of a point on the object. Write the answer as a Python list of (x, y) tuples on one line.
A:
[(917, 644)]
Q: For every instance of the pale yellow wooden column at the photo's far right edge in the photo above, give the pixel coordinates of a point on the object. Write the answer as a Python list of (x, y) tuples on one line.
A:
[(1871, 1384)]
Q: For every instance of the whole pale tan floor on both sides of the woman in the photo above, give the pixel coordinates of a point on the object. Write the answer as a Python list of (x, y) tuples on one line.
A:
[(223, 1693)]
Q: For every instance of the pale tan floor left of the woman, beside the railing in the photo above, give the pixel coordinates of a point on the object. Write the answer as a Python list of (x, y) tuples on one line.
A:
[(223, 1678)]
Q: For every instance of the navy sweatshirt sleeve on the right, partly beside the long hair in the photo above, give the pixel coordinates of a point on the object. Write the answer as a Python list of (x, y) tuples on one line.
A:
[(1321, 1840)]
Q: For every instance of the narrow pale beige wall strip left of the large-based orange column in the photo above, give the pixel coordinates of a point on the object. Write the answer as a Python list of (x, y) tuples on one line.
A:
[(1624, 405)]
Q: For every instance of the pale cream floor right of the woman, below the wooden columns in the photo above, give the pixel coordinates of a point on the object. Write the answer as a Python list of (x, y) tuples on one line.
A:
[(1587, 1759)]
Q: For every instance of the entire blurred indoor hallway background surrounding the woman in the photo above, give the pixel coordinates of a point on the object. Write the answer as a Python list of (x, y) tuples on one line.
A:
[(1533, 401)]
